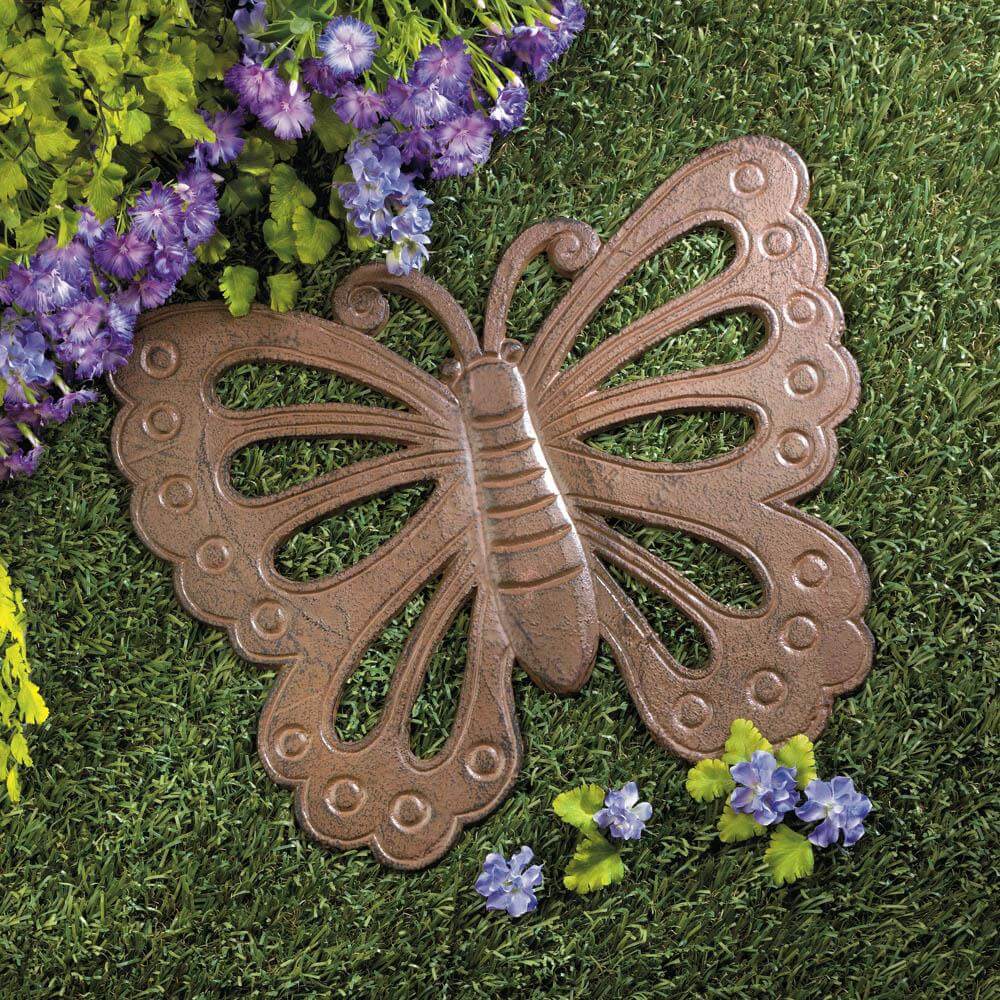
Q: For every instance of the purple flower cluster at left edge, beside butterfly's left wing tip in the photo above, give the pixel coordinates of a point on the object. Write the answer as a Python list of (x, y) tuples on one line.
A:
[(71, 311)]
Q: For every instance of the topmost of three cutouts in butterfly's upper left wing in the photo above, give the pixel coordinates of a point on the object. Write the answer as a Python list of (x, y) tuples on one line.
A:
[(255, 385)]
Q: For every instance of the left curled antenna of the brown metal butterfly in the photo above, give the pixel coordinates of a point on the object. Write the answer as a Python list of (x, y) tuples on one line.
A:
[(359, 302)]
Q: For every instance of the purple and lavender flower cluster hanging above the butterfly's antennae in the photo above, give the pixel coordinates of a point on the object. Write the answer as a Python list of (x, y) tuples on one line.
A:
[(433, 122)]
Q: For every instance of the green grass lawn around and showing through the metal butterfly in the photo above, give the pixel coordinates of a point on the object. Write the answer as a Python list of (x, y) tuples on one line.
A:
[(151, 855)]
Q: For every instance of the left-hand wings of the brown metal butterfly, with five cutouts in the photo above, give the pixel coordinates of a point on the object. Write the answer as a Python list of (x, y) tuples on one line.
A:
[(174, 441)]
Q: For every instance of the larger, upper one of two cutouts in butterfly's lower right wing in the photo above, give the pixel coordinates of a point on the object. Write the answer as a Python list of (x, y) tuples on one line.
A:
[(723, 576)]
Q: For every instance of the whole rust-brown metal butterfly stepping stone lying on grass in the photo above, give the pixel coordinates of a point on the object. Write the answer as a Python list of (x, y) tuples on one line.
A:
[(518, 516)]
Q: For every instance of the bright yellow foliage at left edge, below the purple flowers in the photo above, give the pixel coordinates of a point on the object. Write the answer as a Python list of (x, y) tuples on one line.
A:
[(20, 700)]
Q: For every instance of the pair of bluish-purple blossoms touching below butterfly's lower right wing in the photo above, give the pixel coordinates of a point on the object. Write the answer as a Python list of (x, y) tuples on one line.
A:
[(768, 793)]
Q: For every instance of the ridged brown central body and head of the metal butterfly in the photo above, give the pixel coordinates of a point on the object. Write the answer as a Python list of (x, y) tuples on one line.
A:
[(536, 565)]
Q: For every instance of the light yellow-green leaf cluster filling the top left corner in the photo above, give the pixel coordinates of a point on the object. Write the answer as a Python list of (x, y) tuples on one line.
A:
[(89, 94)]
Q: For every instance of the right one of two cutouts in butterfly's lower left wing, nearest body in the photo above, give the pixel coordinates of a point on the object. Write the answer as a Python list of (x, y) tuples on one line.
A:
[(433, 712)]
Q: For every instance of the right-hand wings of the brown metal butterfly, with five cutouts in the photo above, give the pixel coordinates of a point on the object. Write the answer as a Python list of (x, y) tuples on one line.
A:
[(782, 663)]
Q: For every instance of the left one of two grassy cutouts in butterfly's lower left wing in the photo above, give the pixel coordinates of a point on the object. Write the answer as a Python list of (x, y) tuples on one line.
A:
[(363, 696)]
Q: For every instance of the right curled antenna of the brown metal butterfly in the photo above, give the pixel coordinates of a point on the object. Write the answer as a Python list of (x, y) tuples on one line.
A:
[(571, 246)]
